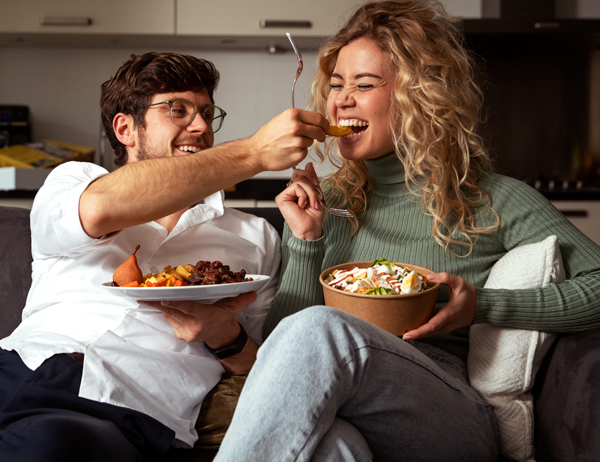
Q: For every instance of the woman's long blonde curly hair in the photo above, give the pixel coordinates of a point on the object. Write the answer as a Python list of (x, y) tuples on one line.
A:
[(434, 113)]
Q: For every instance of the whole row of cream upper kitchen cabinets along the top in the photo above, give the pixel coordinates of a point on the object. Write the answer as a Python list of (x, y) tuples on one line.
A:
[(241, 24)]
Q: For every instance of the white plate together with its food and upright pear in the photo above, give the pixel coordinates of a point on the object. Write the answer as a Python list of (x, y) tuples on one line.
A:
[(206, 280)]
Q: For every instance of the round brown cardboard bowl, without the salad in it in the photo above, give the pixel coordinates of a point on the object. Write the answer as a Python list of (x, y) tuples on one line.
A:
[(396, 314)]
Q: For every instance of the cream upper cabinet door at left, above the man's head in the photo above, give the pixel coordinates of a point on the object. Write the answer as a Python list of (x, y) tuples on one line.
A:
[(88, 16)]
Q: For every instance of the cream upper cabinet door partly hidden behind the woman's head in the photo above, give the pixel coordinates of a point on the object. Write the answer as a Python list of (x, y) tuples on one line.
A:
[(306, 18)]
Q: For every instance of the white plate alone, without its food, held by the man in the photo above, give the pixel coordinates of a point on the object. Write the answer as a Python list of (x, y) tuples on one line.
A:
[(209, 292)]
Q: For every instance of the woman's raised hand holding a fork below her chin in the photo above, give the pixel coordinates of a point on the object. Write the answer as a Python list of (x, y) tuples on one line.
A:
[(300, 206)]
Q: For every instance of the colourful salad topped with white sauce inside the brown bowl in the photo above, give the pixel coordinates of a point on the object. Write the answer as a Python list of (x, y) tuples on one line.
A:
[(383, 277)]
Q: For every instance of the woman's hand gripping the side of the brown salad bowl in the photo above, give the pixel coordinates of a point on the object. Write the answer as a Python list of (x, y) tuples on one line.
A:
[(460, 310)]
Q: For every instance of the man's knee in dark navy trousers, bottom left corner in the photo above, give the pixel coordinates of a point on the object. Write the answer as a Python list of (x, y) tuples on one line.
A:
[(64, 438)]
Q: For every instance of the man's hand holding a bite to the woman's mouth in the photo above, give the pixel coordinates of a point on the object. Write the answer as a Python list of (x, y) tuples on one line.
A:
[(284, 141)]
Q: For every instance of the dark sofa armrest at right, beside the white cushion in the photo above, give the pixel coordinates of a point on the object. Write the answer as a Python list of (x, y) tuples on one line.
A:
[(566, 396)]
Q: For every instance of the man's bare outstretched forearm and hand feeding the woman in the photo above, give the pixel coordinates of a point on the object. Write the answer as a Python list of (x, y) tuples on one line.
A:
[(147, 190)]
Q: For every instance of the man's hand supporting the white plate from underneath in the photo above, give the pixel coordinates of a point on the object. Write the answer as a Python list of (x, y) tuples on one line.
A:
[(213, 324)]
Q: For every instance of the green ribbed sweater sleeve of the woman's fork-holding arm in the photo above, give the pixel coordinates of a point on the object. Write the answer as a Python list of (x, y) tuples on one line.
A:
[(299, 285)]
